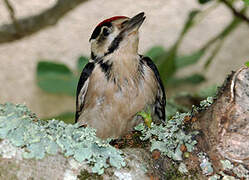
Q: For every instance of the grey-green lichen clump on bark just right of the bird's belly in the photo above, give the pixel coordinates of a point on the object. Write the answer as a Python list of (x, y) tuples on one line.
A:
[(169, 137)]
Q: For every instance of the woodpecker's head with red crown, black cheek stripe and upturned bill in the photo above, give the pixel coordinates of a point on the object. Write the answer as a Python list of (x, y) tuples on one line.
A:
[(116, 33)]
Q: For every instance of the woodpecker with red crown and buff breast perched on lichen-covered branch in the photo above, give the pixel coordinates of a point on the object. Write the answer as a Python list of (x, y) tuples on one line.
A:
[(117, 83)]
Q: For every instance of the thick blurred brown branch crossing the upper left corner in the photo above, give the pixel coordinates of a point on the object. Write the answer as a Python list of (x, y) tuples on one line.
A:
[(32, 24)]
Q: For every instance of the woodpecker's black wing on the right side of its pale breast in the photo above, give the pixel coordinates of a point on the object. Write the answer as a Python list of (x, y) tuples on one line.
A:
[(160, 101)]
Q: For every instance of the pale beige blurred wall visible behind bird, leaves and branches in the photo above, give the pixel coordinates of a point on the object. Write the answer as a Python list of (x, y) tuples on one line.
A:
[(69, 39)]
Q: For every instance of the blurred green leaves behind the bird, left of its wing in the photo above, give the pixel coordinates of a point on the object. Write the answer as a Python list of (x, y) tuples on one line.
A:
[(58, 78)]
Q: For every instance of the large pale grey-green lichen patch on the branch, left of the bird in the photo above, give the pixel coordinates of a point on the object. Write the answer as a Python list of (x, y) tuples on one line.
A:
[(38, 138)]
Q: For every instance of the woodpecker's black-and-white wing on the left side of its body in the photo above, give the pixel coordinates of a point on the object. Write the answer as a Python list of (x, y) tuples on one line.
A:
[(82, 88)]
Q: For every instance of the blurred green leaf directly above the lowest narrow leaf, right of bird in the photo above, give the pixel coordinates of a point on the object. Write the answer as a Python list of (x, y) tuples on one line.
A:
[(187, 60)]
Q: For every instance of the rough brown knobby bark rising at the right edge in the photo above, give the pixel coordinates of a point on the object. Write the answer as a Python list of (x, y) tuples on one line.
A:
[(225, 125)]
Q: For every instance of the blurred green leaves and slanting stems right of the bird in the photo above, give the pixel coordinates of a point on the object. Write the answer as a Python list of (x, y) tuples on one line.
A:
[(169, 62)]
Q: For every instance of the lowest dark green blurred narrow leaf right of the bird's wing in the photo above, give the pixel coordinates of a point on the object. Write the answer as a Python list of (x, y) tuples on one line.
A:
[(192, 79)]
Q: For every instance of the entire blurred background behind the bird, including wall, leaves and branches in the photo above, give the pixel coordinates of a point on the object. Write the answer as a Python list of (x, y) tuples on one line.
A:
[(44, 46)]
